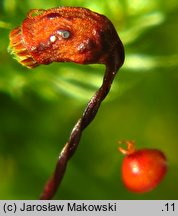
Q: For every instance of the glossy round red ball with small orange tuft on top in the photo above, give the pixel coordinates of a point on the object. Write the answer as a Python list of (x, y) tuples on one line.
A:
[(142, 170)]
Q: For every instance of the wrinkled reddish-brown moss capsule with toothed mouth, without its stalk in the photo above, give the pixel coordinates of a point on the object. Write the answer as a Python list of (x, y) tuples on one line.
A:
[(63, 34)]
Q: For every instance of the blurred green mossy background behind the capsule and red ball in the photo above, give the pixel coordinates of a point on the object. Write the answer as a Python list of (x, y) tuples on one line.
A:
[(39, 107)]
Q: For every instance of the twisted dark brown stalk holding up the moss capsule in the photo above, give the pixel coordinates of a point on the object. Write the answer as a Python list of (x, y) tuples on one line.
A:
[(89, 114)]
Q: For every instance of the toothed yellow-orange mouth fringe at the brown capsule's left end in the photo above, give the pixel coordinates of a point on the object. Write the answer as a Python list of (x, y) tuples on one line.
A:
[(18, 50)]
